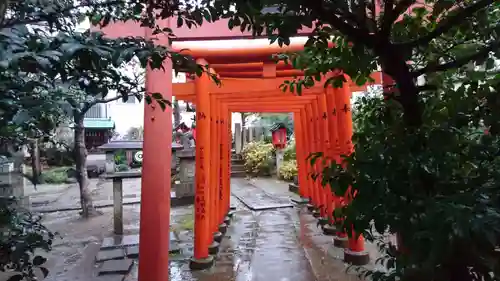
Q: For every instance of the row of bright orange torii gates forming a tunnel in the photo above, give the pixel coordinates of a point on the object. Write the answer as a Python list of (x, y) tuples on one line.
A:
[(250, 82)]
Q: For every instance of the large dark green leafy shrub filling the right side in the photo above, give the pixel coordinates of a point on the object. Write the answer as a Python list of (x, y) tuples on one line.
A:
[(435, 187)]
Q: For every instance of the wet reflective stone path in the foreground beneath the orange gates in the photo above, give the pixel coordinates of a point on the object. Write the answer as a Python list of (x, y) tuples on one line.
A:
[(258, 246)]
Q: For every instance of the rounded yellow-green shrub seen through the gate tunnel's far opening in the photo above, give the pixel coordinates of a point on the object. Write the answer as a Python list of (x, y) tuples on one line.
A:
[(258, 157)]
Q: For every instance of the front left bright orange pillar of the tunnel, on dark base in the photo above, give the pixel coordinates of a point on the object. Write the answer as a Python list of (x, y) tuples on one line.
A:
[(202, 233)]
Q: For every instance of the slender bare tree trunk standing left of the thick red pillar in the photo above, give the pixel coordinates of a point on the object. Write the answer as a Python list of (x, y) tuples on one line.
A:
[(81, 168)]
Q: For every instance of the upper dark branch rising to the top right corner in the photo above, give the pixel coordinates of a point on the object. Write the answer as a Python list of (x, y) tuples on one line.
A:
[(447, 23)]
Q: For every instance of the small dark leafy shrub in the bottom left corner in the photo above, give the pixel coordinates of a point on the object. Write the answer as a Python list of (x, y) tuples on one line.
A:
[(22, 234)]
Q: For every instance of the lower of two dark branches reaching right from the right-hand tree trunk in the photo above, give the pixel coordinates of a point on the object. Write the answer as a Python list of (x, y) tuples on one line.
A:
[(481, 54)]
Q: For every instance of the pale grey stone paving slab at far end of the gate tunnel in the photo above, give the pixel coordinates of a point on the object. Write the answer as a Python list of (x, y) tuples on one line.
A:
[(256, 199)]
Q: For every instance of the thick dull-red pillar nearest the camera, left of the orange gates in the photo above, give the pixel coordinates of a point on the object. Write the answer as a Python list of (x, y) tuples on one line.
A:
[(155, 184)]
